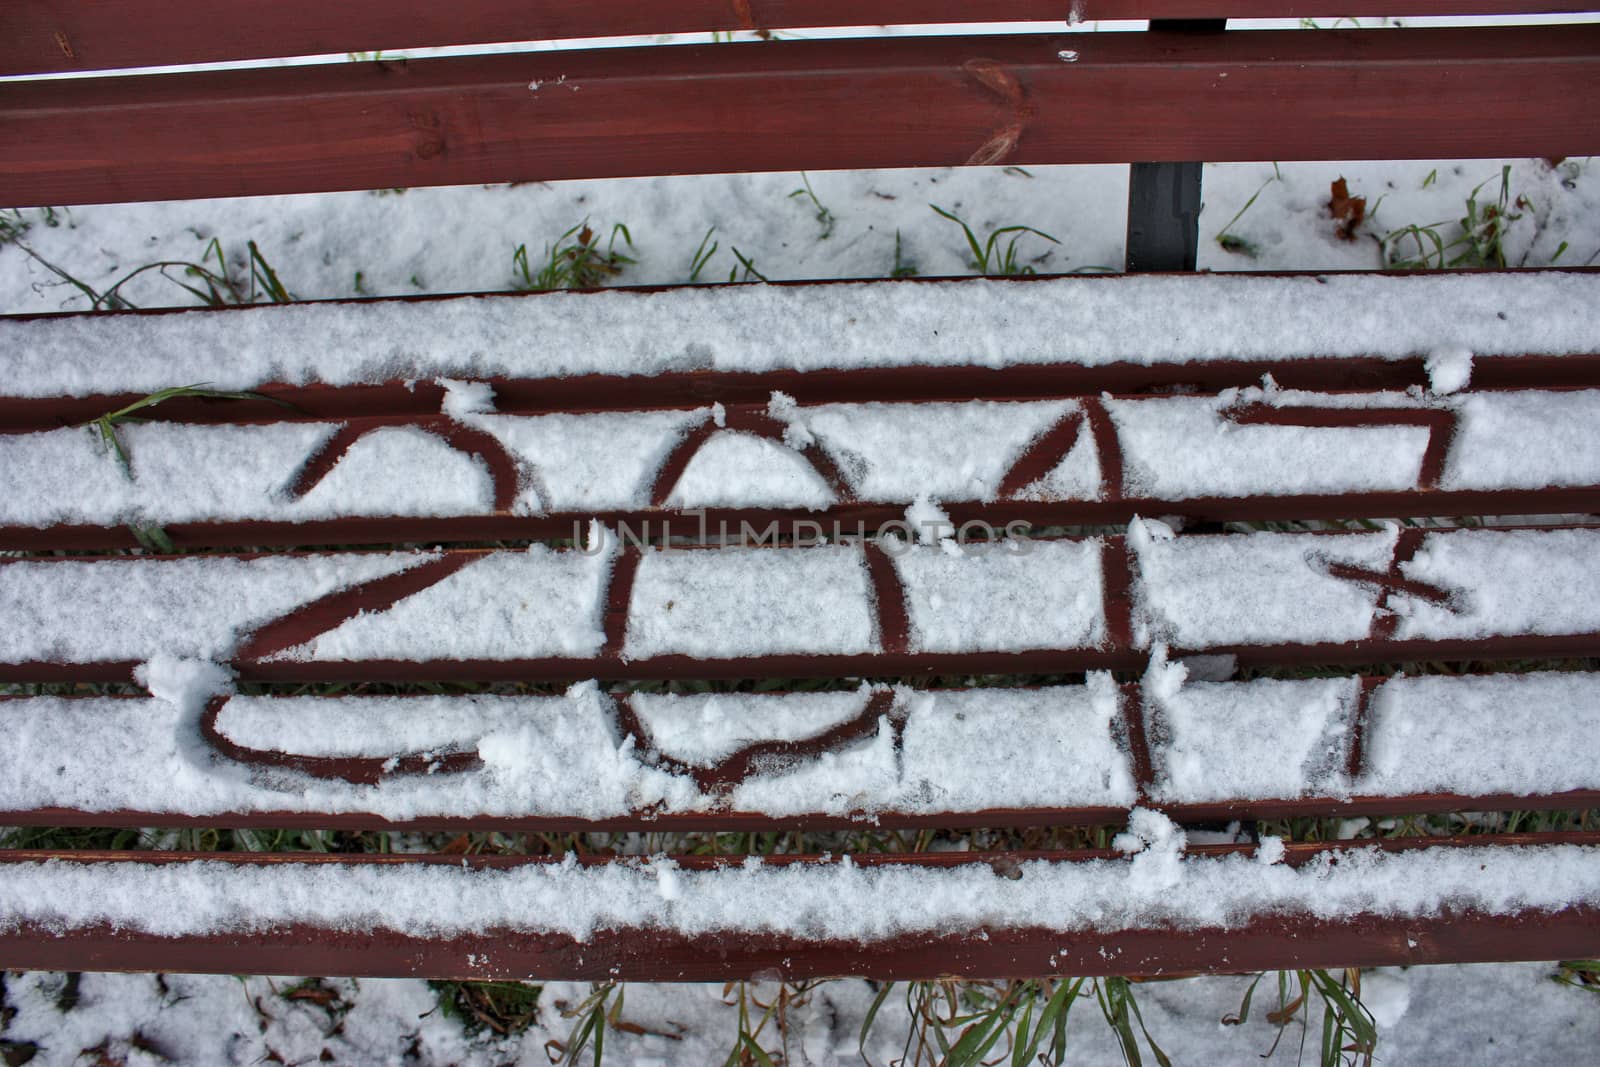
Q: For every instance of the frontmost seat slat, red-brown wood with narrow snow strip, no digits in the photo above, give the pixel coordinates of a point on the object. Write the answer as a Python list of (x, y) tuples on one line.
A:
[(911, 916)]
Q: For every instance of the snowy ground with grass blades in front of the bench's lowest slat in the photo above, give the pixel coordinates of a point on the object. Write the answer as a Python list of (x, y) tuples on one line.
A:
[(1463, 1017)]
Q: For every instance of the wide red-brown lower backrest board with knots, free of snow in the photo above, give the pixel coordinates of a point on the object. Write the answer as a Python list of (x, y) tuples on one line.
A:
[(806, 105)]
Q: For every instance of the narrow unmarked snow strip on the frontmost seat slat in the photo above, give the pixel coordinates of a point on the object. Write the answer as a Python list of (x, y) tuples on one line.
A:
[(812, 900)]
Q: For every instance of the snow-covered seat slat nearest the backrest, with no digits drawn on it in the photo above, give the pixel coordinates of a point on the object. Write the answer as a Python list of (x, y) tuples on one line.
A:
[(820, 343)]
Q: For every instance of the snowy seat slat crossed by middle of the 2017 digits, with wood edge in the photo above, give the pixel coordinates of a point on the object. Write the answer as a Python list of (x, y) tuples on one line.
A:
[(1046, 605)]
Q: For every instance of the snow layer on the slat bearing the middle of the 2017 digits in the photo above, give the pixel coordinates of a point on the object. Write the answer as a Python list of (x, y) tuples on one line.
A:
[(729, 604)]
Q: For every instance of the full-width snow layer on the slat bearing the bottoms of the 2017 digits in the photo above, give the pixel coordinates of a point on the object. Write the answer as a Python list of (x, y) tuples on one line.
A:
[(562, 757)]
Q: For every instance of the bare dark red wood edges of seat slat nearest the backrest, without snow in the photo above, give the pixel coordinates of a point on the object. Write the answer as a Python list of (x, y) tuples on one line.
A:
[(689, 390)]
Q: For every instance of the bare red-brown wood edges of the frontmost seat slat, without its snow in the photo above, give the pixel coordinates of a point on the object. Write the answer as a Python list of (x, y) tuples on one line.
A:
[(1266, 943)]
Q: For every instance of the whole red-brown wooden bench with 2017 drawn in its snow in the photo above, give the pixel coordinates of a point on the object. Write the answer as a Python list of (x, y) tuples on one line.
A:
[(818, 557)]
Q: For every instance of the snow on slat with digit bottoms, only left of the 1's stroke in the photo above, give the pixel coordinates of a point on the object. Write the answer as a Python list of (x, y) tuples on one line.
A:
[(566, 757)]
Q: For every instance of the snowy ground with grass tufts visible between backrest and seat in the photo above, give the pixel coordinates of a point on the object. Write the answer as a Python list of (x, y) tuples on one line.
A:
[(463, 239)]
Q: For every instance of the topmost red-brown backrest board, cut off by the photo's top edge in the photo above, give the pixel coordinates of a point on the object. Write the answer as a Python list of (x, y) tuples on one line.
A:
[(42, 36)]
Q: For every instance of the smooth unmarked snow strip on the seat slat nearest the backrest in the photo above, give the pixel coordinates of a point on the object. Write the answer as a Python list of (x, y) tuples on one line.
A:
[(756, 329)]
